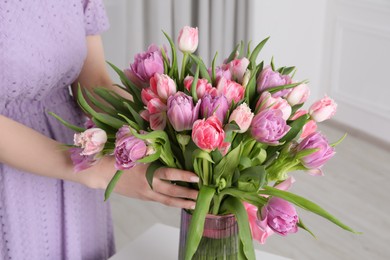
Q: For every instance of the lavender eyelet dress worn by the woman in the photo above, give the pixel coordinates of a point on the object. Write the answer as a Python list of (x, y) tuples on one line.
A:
[(42, 50)]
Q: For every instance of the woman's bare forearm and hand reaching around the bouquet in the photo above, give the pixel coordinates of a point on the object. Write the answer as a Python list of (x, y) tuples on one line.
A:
[(27, 150)]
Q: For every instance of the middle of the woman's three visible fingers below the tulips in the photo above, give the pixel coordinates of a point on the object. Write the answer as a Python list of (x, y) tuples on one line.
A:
[(172, 190)]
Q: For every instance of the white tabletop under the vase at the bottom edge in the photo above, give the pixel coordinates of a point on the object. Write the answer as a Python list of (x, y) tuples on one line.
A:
[(161, 242)]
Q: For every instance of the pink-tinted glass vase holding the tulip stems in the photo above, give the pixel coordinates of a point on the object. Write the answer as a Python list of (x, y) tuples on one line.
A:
[(219, 241)]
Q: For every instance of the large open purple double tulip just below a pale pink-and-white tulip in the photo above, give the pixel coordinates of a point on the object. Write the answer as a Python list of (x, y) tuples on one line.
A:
[(269, 126)]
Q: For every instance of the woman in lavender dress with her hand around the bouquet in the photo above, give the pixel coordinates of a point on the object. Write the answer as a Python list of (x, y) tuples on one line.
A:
[(46, 210)]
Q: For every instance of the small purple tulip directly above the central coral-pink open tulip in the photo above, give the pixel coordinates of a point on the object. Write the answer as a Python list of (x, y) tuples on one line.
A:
[(210, 105)]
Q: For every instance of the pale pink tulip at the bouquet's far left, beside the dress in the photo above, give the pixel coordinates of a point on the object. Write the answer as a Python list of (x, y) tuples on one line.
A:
[(91, 140)]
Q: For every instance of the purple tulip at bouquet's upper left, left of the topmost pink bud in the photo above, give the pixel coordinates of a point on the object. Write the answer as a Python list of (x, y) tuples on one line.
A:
[(146, 64)]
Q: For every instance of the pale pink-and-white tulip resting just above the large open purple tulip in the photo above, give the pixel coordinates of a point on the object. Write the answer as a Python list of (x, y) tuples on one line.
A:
[(266, 101)]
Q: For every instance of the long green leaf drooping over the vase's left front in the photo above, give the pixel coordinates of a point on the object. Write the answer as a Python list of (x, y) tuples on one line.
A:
[(195, 230)]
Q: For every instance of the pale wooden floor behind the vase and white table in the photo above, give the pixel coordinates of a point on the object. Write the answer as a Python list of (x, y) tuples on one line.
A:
[(355, 188)]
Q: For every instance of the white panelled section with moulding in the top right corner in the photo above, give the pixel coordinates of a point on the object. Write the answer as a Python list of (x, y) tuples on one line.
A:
[(357, 64)]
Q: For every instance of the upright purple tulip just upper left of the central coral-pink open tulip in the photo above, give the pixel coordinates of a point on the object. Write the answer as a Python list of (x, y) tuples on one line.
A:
[(181, 111)]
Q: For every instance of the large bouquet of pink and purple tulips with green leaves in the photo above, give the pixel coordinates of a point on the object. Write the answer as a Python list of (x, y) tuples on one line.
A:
[(239, 126)]
